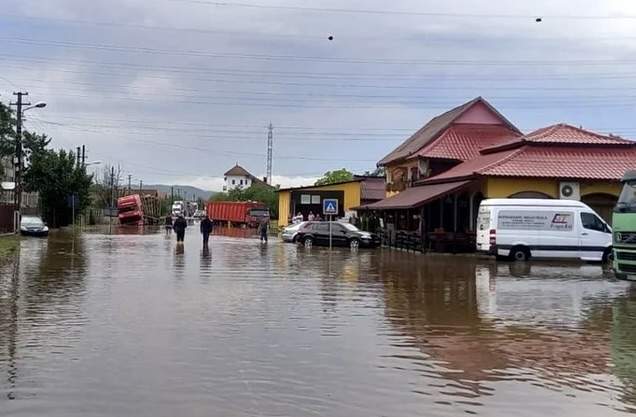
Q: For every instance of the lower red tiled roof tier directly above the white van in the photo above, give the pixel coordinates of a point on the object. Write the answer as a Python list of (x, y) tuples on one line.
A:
[(547, 162)]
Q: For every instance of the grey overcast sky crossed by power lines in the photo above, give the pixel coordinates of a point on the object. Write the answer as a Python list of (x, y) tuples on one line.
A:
[(178, 91)]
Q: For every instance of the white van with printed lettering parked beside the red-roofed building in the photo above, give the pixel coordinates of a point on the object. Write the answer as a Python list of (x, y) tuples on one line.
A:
[(525, 228)]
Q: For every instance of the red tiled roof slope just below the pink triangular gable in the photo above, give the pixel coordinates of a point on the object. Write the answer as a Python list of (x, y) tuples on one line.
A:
[(463, 141)]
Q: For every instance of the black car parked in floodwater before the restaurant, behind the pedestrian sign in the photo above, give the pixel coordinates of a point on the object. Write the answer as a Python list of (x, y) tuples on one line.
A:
[(342, 234)]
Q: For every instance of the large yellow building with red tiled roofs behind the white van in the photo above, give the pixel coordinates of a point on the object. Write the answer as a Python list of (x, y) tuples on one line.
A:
[(437, 177)]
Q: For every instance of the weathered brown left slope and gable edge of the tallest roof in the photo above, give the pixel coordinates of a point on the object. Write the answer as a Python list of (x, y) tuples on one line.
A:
[(432, 129)]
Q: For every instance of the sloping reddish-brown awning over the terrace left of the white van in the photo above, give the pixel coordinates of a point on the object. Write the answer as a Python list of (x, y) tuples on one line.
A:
[(416, 196)]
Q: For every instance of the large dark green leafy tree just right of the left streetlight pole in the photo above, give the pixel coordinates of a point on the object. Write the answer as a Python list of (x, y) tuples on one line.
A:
[(55, 175)]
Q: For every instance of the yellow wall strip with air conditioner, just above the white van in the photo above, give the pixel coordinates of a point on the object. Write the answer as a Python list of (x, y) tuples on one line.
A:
[(505, 187)]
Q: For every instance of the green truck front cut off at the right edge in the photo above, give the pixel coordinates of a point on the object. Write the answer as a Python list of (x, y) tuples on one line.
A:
[(624, 229)]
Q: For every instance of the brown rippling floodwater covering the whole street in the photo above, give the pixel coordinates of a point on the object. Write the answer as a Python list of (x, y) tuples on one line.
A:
[(127, 325)]
